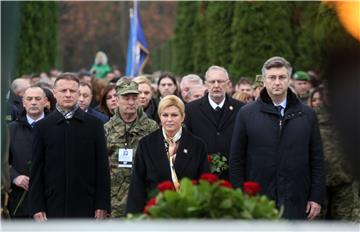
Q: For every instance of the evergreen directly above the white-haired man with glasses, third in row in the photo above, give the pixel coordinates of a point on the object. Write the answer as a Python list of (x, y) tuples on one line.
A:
[(219, 17)]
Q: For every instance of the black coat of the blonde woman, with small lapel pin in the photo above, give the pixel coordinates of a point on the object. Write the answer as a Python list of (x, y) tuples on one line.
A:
[(152, 165)]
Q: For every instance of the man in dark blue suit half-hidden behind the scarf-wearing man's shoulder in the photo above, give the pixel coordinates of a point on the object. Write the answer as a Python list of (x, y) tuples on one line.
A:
[(85, 101)]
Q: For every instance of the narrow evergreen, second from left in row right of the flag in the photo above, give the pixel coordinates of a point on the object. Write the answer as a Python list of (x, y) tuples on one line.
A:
[(199, 40)]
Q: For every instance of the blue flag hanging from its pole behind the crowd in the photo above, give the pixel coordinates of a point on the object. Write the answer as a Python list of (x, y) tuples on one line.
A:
[(138, 53)]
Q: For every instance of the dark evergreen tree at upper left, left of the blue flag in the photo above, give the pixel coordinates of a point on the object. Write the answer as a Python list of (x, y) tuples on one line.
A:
[(38, 37)]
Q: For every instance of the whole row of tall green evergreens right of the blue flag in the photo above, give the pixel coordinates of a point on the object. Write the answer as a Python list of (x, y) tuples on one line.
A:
[(241, 35)]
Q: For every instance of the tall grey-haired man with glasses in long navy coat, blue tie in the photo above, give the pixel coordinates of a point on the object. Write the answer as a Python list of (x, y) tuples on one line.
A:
[(276, 142)]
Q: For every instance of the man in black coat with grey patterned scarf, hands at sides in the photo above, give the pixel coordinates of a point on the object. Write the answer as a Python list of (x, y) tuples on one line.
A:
[(70, 172)]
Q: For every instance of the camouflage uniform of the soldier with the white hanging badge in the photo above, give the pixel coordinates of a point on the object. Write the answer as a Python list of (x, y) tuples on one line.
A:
[(115, 134)]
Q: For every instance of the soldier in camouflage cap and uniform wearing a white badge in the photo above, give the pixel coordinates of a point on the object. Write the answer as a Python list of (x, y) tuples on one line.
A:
[(123, 132)]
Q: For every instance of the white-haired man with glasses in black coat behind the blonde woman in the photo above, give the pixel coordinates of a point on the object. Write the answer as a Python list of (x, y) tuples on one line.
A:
[(212, 117)]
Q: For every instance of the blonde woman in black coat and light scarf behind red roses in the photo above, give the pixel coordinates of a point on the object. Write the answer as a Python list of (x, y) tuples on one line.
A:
[(169, 153)]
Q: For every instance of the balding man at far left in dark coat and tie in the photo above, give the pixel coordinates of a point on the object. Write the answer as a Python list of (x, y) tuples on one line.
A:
[(21, 139)]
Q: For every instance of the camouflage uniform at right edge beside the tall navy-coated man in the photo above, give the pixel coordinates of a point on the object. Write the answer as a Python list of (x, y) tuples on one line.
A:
[(342, 201)]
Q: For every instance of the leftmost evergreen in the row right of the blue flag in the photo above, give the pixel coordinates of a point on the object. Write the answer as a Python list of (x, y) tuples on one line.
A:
[(183, 41)]
